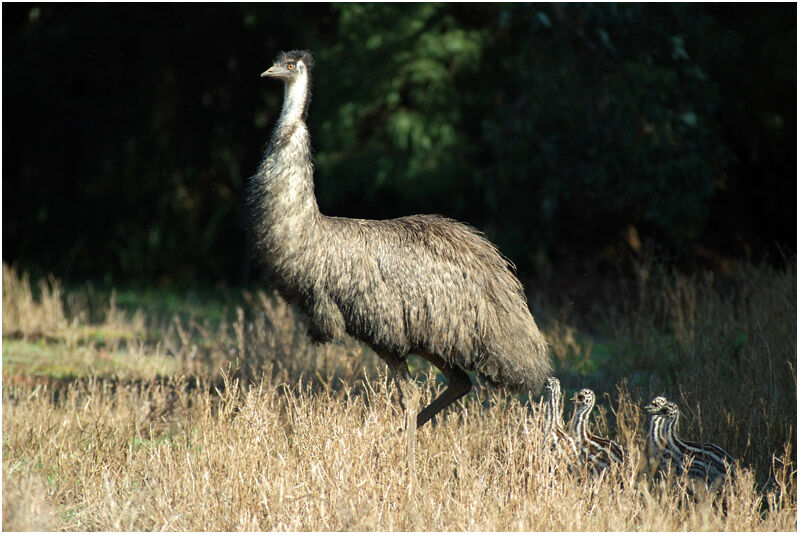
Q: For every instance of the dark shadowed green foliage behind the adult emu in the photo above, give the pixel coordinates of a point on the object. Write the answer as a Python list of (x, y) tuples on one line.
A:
[(569, 133)]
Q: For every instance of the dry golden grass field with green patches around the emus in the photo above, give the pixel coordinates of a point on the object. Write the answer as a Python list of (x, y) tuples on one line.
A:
[(129, 411)]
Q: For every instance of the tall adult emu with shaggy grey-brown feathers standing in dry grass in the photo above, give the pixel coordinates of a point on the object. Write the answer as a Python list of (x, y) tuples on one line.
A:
[(422, 284)]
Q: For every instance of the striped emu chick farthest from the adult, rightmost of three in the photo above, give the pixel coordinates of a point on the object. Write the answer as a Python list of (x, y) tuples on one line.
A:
[(705, 461)]
